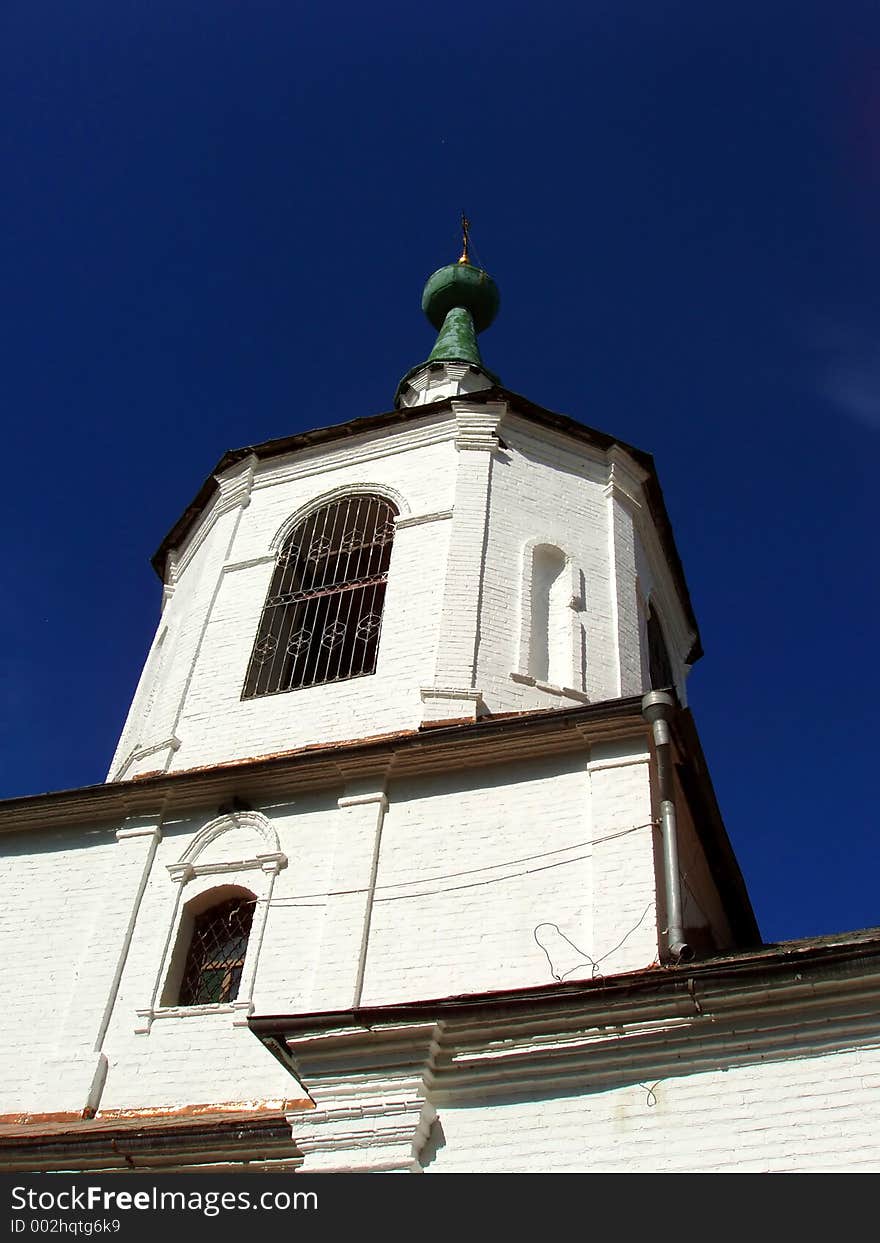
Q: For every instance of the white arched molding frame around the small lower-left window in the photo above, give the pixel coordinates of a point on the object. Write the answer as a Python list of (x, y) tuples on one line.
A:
[(269, 863)]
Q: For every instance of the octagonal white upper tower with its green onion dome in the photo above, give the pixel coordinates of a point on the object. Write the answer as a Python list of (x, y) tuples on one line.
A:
[(467, 556)]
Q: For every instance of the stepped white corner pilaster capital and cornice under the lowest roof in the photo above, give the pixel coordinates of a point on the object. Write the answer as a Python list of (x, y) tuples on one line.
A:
[(610, 1035)]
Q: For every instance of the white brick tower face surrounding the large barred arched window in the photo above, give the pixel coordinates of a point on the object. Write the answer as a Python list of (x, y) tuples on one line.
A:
[(214, 612)]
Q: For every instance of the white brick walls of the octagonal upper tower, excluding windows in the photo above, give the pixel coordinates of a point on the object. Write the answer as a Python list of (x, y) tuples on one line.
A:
[(453, 625)]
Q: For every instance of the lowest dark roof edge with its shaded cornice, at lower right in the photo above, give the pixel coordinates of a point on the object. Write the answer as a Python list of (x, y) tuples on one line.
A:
[(794, 999)]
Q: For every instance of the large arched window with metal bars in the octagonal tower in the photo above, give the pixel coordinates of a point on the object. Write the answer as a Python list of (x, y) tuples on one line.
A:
[(323, 617)]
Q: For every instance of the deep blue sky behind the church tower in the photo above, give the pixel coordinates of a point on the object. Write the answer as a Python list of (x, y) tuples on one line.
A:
[(216, 224)]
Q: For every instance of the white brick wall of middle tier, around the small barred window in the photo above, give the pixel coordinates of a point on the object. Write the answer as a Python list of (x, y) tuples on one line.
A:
[(469, 866)]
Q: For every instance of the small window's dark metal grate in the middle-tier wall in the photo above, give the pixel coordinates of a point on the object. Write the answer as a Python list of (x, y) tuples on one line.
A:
[(217, 954)]
